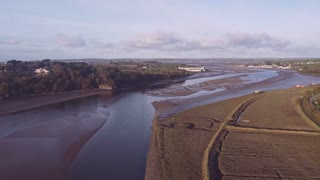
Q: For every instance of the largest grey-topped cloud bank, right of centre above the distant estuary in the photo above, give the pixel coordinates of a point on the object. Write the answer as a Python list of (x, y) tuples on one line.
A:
[(169, 41)]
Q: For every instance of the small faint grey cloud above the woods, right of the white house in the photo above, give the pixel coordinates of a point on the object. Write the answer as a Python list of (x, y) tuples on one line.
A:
[(69, 41)]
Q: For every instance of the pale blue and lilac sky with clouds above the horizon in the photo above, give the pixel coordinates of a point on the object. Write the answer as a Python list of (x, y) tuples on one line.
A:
[(67, 29)]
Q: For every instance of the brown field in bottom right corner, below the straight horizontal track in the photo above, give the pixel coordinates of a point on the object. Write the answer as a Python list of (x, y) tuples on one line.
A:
[(277, 155)]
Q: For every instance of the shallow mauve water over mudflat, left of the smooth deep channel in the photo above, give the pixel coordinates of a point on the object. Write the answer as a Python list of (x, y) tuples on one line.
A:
[(37, 143)]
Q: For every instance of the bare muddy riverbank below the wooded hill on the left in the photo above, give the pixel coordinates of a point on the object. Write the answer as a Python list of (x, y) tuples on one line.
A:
[(17, 105)]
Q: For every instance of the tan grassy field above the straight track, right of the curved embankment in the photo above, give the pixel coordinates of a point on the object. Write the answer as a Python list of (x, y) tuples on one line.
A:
[(278, 110)]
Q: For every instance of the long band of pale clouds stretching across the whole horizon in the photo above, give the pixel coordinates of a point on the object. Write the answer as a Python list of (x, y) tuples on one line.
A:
[(159, 44)]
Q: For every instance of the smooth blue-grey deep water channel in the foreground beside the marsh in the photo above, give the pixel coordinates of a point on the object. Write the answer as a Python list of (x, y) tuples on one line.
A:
[(119, 149)]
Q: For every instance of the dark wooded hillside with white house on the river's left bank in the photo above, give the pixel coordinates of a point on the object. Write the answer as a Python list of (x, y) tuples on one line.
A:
[(18, 78)]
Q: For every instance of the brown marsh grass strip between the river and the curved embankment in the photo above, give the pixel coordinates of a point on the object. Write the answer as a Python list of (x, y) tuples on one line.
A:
[(182, 138)]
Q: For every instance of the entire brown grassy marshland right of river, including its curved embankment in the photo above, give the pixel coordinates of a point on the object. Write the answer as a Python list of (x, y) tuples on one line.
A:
[(257, 136)]
